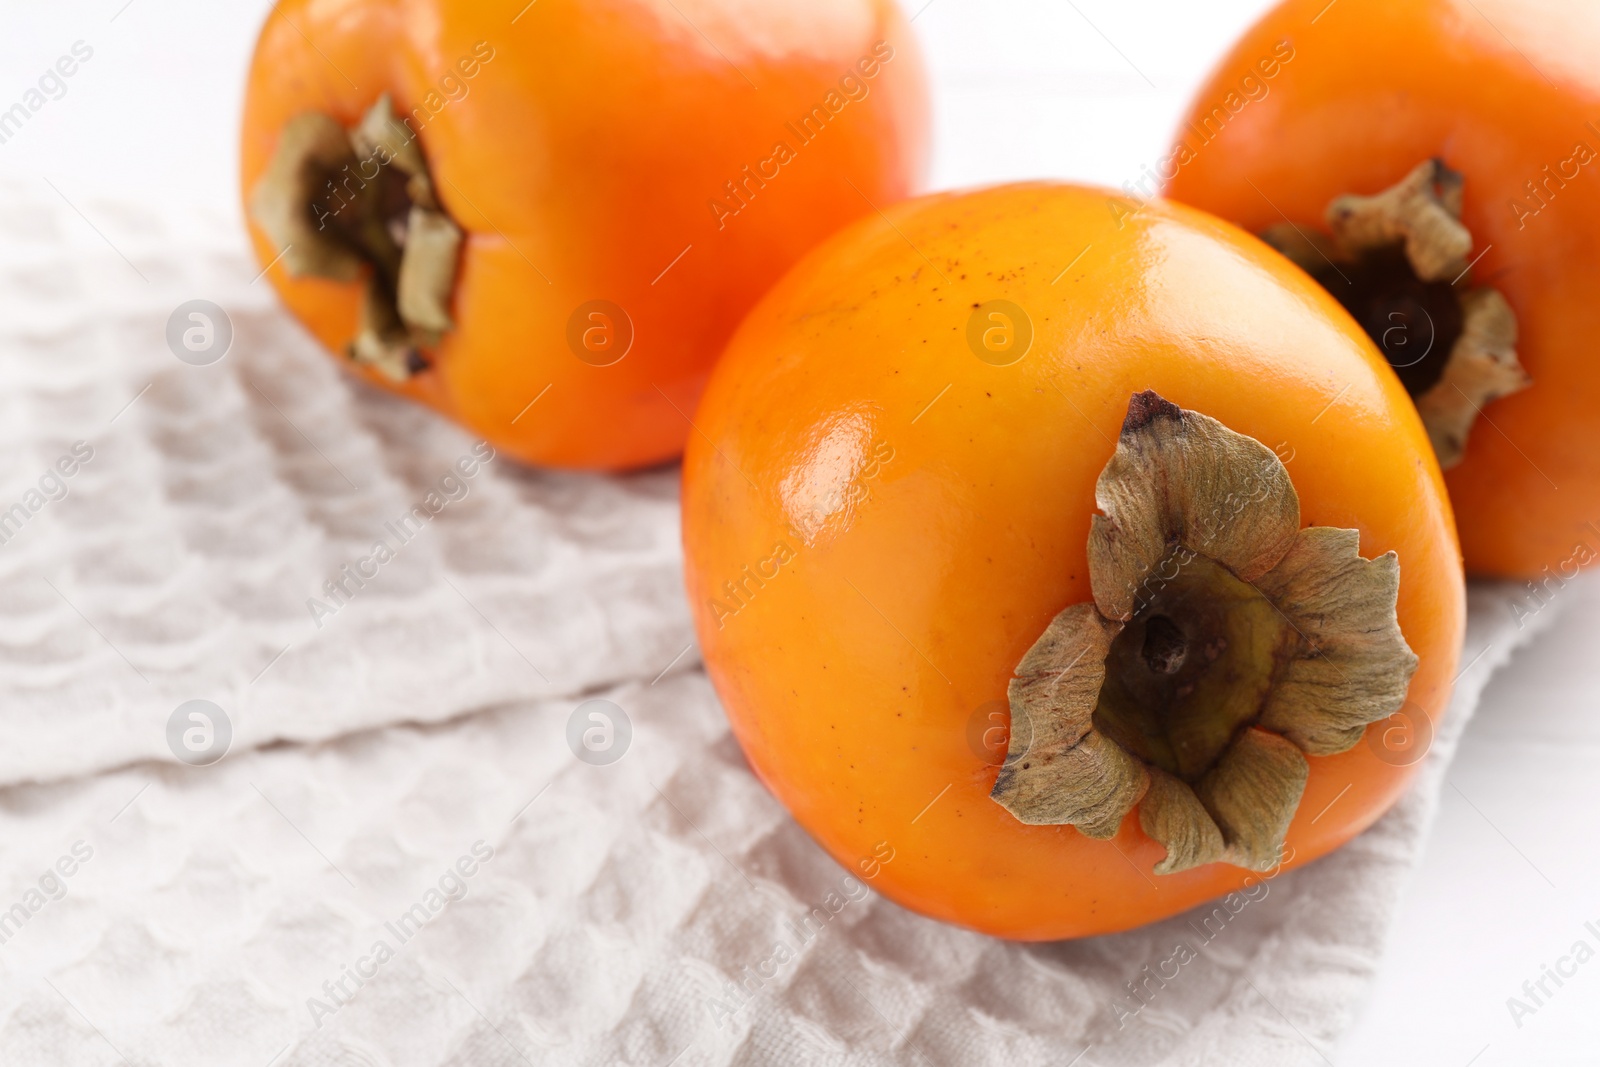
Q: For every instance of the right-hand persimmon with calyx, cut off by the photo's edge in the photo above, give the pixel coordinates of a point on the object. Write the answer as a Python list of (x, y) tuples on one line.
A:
[(1428, 162)]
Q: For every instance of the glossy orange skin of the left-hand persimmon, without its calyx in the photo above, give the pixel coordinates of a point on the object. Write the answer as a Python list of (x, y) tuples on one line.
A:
[(582, 161)]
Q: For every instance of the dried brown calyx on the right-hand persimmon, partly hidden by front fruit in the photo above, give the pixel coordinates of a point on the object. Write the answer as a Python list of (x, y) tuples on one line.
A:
[(1399, 263)]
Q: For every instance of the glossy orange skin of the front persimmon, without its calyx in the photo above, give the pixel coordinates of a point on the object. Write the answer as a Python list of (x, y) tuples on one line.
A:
[(854, 673)]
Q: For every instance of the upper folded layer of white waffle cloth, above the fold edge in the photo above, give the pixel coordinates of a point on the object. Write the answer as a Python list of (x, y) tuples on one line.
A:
[(190, 554)]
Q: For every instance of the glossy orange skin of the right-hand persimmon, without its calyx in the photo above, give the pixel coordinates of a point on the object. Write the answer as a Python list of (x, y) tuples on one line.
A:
[(1380, 86)]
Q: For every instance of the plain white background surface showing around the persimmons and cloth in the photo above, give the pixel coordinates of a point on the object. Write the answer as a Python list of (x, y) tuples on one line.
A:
[(1022, 90)]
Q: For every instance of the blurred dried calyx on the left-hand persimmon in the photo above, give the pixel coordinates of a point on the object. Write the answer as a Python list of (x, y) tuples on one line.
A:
[(338, 202)]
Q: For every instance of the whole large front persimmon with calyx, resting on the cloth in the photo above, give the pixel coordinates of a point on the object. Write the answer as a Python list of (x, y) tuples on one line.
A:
[(1137, 490)]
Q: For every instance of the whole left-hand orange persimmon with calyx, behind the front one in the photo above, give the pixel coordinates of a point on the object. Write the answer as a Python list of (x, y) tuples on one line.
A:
[(548, 226)]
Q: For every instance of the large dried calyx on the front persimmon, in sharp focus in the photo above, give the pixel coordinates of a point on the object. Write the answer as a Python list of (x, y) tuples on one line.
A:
[(1225, 645)]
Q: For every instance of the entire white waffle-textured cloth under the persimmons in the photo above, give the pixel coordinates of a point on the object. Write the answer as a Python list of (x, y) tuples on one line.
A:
[(233, 914)]
